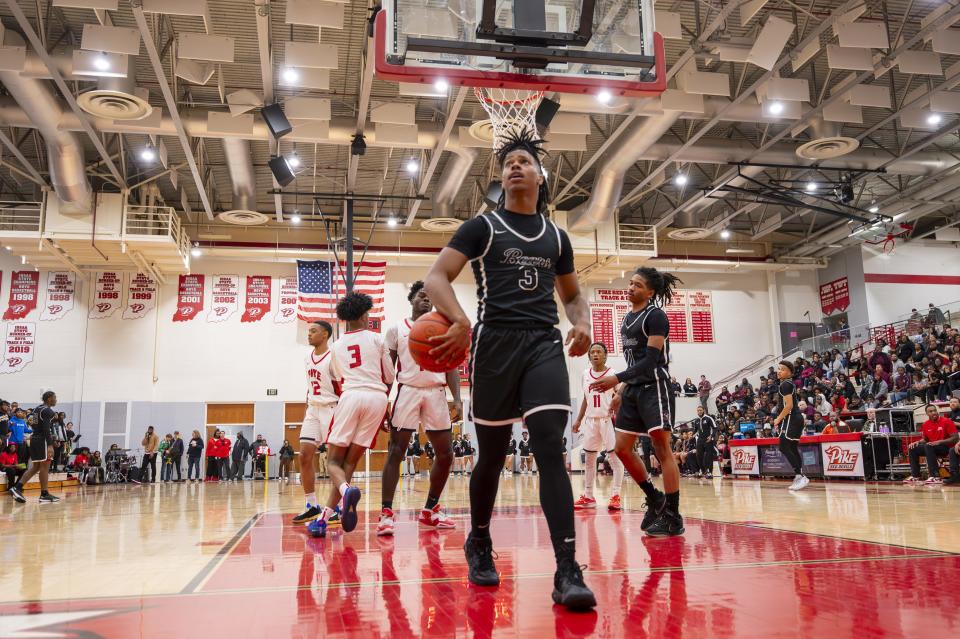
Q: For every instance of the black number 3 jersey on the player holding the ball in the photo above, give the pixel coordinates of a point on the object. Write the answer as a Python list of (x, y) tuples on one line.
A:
[(515, 273)]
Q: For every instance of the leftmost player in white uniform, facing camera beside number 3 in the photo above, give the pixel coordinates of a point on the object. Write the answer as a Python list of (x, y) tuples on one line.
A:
[(323, 391)]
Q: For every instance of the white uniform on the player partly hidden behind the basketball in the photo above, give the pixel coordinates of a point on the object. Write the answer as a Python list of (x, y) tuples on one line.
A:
[(421, 394)]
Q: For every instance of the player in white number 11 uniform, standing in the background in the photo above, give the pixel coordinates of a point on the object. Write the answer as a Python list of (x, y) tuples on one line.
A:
[(598, 433)]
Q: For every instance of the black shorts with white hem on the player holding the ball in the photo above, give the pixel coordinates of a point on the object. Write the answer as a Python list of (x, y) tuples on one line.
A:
[(515, 372)]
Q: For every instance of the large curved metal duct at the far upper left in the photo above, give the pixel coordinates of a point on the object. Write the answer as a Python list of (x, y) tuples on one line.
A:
[(64, 149)]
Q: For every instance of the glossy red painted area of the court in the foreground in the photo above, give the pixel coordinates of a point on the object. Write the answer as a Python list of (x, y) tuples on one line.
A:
[(719, 580)]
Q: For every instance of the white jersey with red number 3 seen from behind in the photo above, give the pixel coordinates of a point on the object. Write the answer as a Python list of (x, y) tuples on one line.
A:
[(362, 361)]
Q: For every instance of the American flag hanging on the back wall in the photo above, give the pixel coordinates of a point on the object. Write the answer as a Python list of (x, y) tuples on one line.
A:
[(320, 287)]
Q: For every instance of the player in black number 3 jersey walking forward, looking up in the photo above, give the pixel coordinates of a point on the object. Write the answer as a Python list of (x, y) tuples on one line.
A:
[(518, 370)]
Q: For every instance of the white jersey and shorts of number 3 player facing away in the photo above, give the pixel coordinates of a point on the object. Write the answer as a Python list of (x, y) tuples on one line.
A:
[(361, 360)]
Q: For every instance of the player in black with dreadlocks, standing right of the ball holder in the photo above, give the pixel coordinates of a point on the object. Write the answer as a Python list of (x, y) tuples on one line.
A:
[(646, 403)]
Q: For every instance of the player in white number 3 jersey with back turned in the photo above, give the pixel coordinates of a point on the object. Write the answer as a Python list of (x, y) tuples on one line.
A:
[(361, 360)]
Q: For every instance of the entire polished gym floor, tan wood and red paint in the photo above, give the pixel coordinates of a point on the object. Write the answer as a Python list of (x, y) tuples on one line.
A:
[(224, 560)]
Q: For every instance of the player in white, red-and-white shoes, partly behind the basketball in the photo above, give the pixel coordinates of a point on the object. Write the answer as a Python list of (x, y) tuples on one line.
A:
[(421, 401)]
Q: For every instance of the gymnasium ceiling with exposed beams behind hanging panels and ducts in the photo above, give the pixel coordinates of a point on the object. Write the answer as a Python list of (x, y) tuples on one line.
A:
[(930, 152)]
